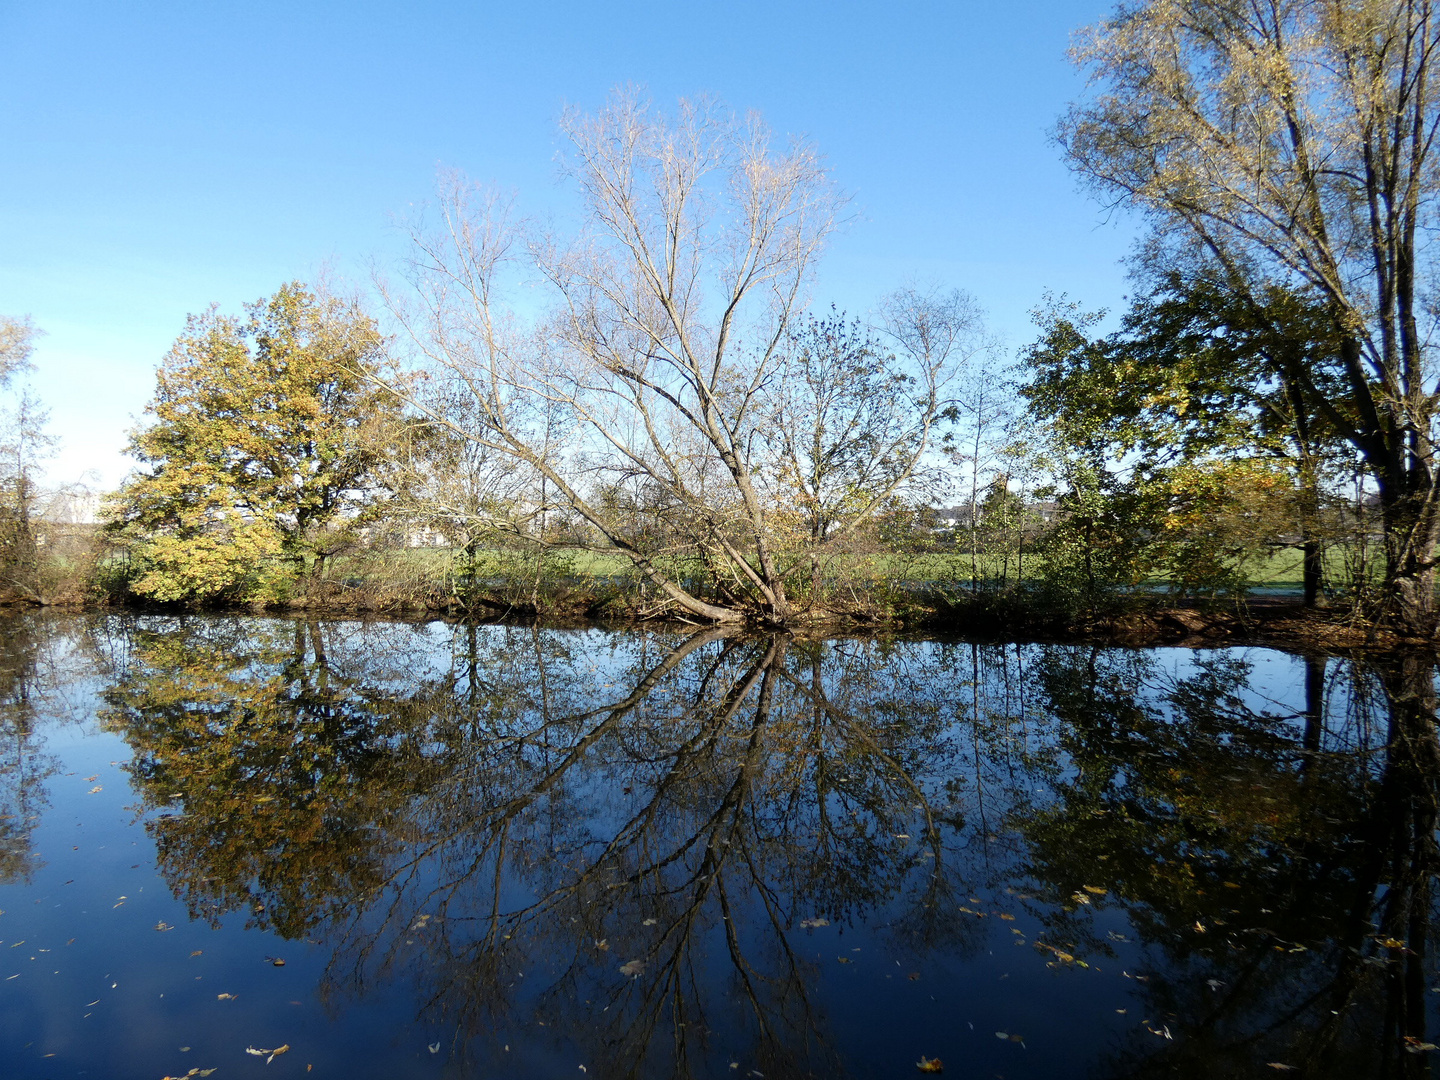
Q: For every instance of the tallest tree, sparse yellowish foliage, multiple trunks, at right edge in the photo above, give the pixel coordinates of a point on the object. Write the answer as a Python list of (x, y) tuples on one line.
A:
[(1292, 145)]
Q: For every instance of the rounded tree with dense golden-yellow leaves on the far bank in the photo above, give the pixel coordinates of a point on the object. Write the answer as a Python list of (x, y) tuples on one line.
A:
[(266, 441)]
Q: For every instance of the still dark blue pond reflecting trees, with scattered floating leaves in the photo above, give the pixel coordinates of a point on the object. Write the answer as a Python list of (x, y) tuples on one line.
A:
[(283, 849)]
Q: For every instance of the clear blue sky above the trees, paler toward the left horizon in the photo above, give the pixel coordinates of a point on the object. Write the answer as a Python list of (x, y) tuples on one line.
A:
[(156, 158)]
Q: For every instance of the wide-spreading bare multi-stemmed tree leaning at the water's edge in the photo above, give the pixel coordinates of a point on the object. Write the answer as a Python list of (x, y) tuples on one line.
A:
[(665, 352)]
